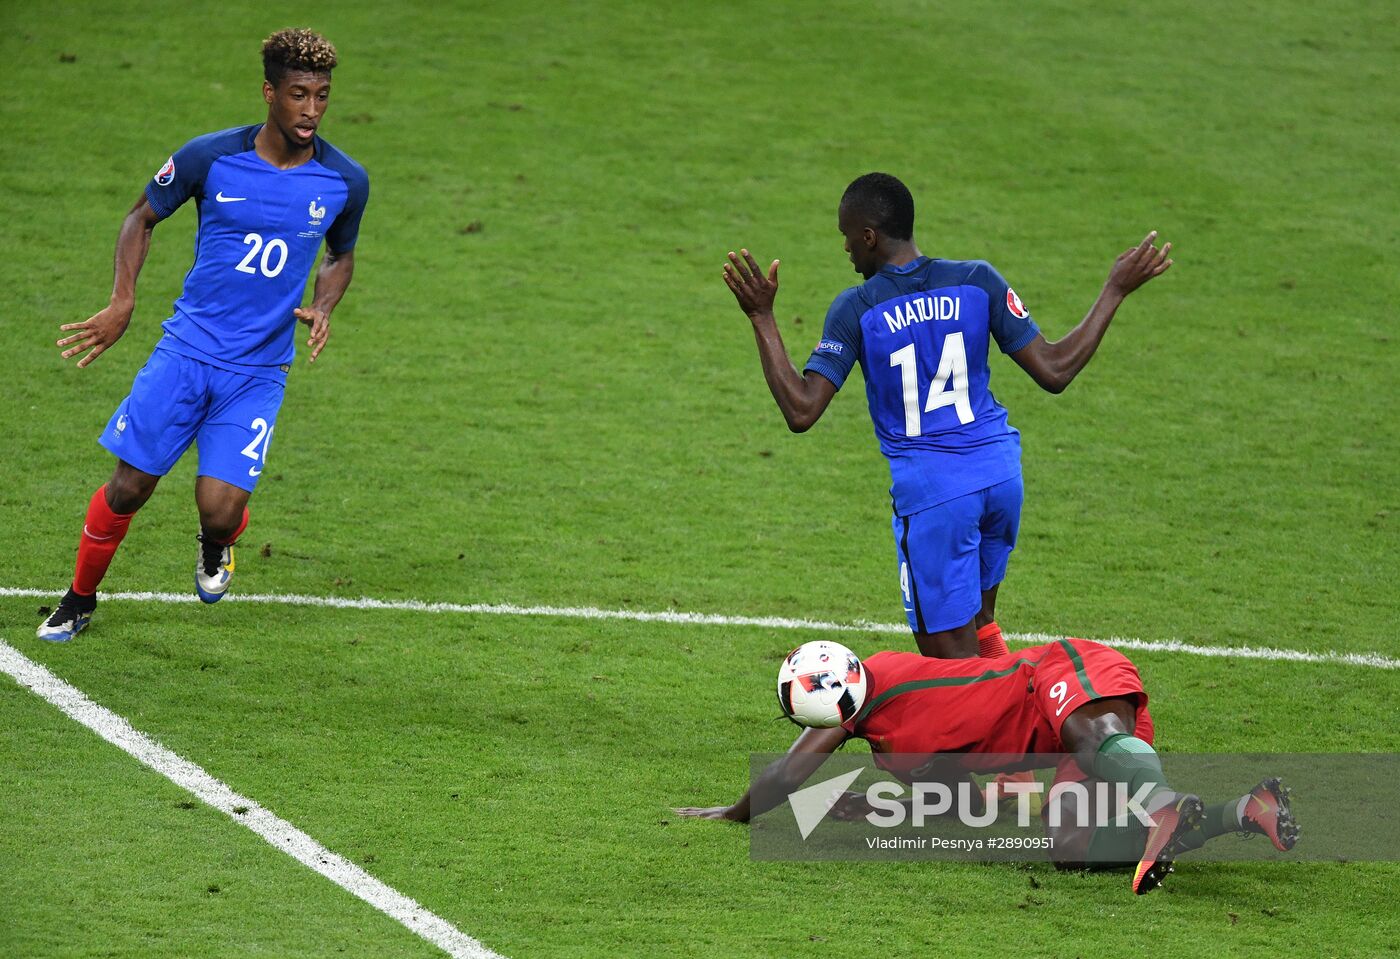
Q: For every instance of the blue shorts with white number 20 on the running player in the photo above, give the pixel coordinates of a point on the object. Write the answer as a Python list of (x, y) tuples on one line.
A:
[(177, 401)]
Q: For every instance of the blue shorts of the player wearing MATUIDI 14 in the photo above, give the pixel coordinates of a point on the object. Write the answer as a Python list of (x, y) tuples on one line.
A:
[(950, 554)]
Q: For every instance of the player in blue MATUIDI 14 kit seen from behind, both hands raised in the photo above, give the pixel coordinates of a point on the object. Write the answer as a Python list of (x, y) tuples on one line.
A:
[(922, 330)]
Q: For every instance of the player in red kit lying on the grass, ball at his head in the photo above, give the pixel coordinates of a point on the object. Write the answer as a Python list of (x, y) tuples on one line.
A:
[(1070, 696)]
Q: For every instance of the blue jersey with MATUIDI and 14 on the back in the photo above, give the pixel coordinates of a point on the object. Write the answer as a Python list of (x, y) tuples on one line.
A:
[(922, 335)]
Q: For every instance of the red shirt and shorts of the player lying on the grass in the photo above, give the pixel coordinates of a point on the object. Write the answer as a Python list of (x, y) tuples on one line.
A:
[(1010, 705)]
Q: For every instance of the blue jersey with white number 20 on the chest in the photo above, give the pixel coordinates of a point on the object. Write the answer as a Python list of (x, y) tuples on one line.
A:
[(260, 232)]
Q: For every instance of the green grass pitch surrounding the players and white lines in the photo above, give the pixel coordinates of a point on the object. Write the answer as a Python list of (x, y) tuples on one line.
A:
[(540, 391)]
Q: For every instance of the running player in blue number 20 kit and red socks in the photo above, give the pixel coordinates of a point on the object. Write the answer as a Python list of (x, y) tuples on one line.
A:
[(267, 195)]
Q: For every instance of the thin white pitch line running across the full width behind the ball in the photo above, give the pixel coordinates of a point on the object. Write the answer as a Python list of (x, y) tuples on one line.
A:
[(1371, 660)]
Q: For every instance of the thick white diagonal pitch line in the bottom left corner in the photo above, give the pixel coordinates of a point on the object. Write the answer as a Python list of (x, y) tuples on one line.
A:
[(241, 810)]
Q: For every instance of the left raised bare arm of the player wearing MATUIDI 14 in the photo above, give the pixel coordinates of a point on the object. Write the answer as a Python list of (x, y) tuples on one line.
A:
[(801, 398)]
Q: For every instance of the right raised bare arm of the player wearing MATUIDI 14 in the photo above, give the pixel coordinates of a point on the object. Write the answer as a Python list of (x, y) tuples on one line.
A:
[(1055, 366)]
